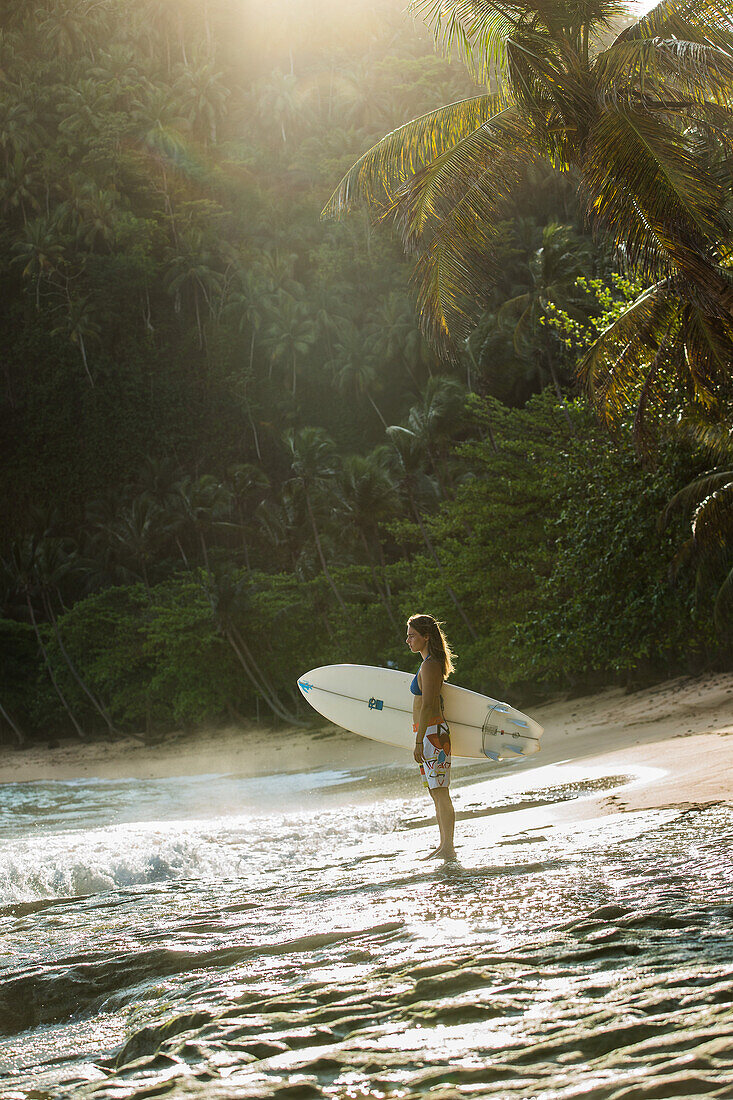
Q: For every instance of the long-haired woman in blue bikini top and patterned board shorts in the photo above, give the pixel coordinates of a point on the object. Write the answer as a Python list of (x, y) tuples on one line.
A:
[(432, 734)]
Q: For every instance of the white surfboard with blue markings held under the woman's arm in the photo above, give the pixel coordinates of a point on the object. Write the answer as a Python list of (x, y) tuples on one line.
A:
[(378, 703)]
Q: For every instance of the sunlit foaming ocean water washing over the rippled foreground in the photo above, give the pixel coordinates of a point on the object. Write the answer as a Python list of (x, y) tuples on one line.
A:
[(227, 937)]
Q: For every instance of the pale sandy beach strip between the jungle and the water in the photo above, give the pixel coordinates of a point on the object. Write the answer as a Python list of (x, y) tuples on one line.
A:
[(673, 739)]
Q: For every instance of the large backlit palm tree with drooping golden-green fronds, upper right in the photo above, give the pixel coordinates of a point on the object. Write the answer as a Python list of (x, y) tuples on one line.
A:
[(639, 123)]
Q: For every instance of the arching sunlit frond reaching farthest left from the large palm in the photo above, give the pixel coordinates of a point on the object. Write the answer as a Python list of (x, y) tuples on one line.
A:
[(386, 168)]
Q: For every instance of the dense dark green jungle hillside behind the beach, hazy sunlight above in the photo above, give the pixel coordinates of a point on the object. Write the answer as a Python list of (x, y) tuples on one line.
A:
[(228, 454)]
